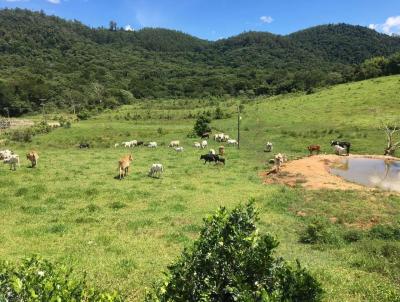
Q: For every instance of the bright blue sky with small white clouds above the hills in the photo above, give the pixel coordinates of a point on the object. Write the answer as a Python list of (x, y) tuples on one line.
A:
[(214, 19)]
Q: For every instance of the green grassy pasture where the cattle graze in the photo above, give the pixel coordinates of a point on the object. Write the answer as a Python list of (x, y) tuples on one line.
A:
[(125, 233)]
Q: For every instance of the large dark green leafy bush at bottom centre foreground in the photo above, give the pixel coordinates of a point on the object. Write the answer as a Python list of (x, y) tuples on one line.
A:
[(231, 261)]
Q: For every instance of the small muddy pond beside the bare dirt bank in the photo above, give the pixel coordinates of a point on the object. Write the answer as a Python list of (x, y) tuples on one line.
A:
[(370, 172)]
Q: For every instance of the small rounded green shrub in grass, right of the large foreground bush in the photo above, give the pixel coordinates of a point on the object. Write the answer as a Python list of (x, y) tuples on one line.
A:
[(320, 231)]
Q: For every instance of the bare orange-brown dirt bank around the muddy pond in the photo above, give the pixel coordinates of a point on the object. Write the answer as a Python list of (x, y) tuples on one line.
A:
[(313, 173)]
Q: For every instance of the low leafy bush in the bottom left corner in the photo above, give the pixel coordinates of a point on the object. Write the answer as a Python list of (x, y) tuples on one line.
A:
[(39, 280)]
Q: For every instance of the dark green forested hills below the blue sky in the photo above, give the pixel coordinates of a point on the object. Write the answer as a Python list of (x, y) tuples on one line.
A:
[(65, 63)]
